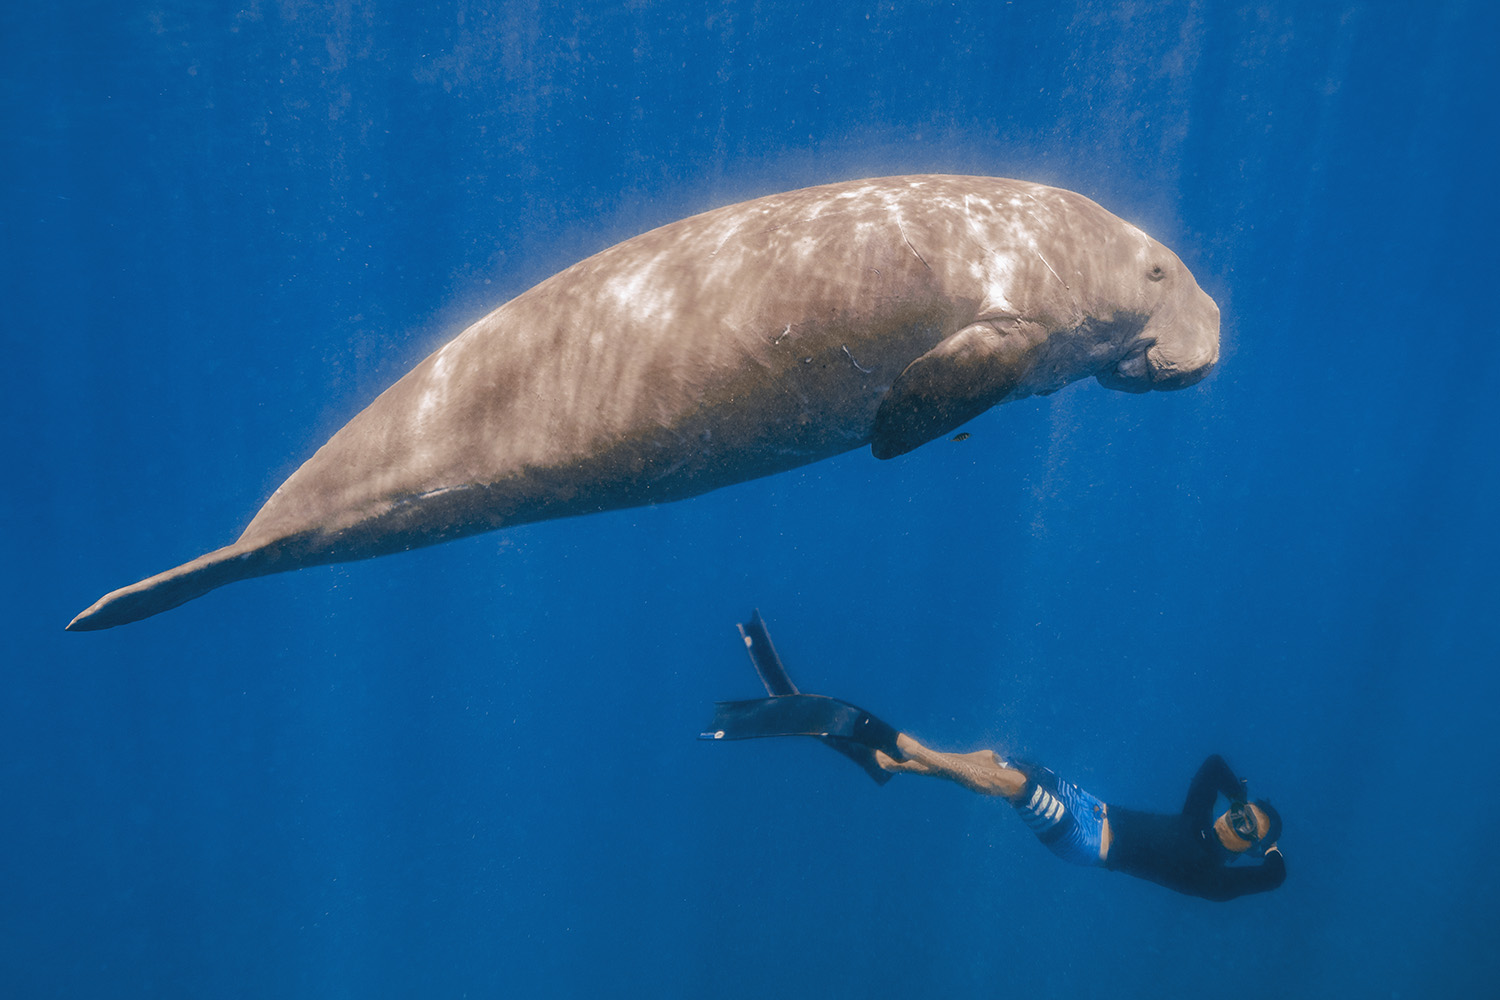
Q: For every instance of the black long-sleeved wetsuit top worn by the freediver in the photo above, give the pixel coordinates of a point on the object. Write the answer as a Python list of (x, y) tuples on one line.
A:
[(1183, 852)]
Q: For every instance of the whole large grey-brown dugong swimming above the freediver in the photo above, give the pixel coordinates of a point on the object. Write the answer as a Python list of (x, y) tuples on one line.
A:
[(721, 349)]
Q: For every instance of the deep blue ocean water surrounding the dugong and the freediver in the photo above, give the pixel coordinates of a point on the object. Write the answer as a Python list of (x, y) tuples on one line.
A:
[(472, 770)]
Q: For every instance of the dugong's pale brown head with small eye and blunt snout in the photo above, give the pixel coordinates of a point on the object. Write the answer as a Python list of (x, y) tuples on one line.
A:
[(1178, 346)]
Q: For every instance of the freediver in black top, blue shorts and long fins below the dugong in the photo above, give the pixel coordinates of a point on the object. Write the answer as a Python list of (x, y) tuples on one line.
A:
[(1192, 852)]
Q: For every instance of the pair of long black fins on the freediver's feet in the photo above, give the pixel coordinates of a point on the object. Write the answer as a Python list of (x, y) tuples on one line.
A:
[(788, 713)]
